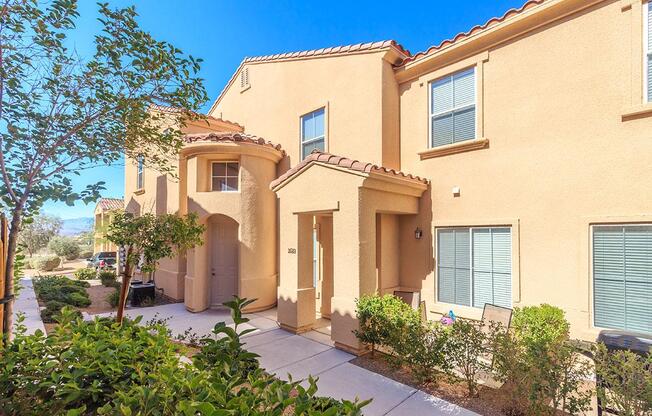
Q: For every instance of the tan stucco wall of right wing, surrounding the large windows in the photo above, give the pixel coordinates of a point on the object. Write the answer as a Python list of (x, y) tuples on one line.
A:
[(559, 158)]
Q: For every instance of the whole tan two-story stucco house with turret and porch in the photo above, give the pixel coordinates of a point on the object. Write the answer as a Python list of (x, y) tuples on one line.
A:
[(526, 144)]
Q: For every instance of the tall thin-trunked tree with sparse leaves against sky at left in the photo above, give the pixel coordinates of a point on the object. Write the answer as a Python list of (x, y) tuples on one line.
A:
[(61, 113)]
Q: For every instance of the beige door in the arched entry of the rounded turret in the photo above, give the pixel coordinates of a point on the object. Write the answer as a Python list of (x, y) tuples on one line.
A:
[(224, 260)]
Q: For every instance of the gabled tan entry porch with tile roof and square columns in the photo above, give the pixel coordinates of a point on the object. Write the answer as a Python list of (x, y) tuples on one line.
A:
[(341, 233)]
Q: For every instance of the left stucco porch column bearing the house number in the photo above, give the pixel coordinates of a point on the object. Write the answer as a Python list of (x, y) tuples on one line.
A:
[(296, 302)]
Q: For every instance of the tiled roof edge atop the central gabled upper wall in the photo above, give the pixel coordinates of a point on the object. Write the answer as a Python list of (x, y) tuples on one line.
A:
[(314, 53)]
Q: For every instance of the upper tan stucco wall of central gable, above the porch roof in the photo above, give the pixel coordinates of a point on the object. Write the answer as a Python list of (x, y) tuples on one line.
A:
[(347, 86)]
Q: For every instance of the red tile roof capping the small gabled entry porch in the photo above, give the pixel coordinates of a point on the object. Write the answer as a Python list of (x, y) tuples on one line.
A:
[(355, 165)]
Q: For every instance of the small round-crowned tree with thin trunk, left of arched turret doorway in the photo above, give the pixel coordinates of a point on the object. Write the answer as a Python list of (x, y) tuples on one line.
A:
[(148, 238)]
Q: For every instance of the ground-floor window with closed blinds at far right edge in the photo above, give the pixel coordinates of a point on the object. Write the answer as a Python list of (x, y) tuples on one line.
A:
[(622, 277)]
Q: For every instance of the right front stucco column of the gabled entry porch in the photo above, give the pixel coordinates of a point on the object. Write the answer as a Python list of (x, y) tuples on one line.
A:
[(354, 236)]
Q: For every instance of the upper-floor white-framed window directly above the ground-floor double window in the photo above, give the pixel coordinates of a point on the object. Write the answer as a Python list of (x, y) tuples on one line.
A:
[(453, 108)]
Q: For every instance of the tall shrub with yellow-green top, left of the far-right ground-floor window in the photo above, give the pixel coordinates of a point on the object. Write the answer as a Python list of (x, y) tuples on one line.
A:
[(540, 367)]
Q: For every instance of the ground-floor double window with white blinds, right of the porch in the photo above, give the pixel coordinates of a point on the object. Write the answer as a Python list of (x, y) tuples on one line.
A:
[(474, 266)]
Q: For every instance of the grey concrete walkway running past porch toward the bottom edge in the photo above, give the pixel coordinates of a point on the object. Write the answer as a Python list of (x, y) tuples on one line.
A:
[(297, 356)]
